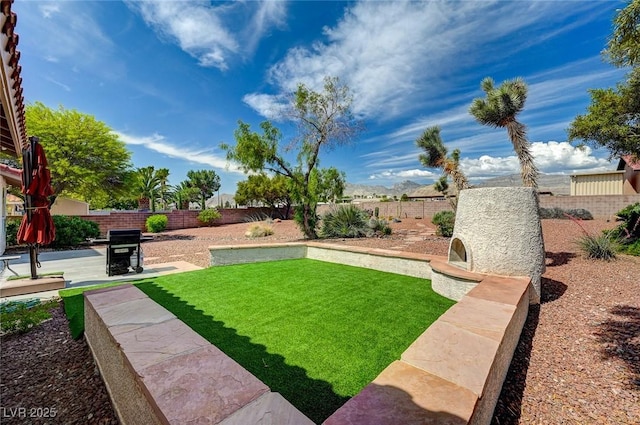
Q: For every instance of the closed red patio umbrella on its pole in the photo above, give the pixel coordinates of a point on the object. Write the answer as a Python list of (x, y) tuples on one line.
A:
[(37, 227)]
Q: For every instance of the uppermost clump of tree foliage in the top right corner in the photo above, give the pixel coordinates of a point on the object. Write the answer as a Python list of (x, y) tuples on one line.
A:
[(623, 48)]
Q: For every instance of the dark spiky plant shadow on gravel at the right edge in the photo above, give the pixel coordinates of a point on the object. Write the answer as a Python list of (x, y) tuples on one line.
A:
[(620, 339)]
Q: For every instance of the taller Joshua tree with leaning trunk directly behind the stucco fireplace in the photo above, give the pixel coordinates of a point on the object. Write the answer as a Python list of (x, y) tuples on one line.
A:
[(499, 110)]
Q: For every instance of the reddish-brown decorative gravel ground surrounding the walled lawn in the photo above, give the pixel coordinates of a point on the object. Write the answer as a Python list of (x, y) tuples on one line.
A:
[(578, 360)]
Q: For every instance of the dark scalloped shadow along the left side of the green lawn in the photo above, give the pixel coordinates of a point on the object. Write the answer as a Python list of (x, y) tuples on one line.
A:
[(313, 397)]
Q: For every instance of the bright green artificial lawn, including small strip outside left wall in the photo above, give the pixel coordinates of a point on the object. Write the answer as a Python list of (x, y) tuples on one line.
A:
[(313, 331)]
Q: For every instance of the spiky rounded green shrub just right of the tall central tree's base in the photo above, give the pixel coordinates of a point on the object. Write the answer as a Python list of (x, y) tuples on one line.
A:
[(345, 221)]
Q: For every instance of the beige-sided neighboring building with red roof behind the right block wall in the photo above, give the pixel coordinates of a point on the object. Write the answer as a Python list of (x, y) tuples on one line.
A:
[(625, 180)]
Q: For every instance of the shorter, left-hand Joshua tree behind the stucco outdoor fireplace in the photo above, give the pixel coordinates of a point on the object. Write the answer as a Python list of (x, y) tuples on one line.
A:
[(435, 156)]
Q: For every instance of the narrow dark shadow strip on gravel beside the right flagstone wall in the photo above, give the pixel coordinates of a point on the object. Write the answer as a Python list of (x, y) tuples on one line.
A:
[(509, 406)]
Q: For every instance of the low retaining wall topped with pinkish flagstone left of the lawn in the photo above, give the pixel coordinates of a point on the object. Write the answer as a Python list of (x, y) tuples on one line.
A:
[(157, 370)]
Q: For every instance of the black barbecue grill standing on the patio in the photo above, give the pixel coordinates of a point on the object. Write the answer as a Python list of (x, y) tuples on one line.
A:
[(123, 251)]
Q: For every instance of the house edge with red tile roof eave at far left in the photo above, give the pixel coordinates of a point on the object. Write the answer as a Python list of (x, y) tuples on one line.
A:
[(13, 134)]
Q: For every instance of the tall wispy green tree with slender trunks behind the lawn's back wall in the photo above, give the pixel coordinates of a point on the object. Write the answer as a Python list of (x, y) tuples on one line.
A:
[(324, 121)]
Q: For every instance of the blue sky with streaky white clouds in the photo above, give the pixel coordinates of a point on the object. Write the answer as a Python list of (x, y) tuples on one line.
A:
[(173, 78)]
